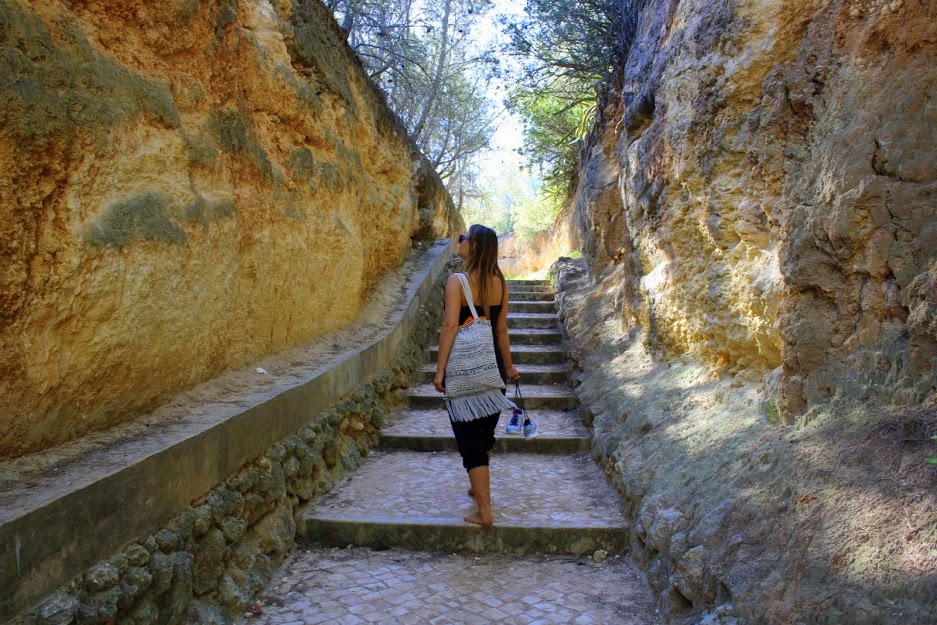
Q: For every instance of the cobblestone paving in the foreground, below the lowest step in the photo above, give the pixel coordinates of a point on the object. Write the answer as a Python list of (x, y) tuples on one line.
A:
[(359, 586)]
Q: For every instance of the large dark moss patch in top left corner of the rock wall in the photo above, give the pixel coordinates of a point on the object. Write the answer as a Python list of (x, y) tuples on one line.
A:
[(52, 90)]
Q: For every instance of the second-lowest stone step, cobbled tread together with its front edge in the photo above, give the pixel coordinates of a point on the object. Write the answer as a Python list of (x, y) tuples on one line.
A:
[(561, 432)]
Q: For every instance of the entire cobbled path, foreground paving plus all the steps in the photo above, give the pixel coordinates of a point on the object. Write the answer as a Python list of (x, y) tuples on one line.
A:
[(388, 545)]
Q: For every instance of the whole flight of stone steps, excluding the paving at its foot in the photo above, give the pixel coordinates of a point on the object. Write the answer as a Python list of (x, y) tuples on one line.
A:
[(548, 497)]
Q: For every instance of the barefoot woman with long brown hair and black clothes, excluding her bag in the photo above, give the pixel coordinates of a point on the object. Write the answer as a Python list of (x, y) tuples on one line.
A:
[(476, 438)]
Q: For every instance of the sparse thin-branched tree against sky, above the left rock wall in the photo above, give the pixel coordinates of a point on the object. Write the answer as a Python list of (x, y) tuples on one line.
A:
[(435, 79)]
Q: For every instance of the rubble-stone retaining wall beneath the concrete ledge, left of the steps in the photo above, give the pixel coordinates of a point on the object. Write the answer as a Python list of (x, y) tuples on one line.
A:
[(210, 562)]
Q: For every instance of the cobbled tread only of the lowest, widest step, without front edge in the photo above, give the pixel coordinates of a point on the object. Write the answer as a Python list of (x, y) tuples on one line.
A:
[(525, 489)]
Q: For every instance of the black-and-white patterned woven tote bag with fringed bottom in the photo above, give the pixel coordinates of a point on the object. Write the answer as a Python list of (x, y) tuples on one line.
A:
[(473, 382)]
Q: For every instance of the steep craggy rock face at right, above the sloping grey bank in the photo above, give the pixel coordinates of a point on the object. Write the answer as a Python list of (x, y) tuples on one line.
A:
[(765, 184)]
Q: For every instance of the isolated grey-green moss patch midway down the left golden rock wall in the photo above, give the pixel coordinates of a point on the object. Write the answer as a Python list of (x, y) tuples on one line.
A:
[(144, 216)]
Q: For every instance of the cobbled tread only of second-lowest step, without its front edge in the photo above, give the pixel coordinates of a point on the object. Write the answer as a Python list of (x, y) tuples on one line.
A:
[(436, 423)]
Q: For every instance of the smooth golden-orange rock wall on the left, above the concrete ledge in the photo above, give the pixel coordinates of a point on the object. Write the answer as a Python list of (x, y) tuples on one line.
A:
[(188, 186)]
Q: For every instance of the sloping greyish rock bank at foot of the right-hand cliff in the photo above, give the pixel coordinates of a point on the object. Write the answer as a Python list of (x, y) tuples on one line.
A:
[(737, 523)]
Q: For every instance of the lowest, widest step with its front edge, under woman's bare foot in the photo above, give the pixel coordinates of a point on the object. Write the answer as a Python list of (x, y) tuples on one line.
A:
[(541, 504)]
